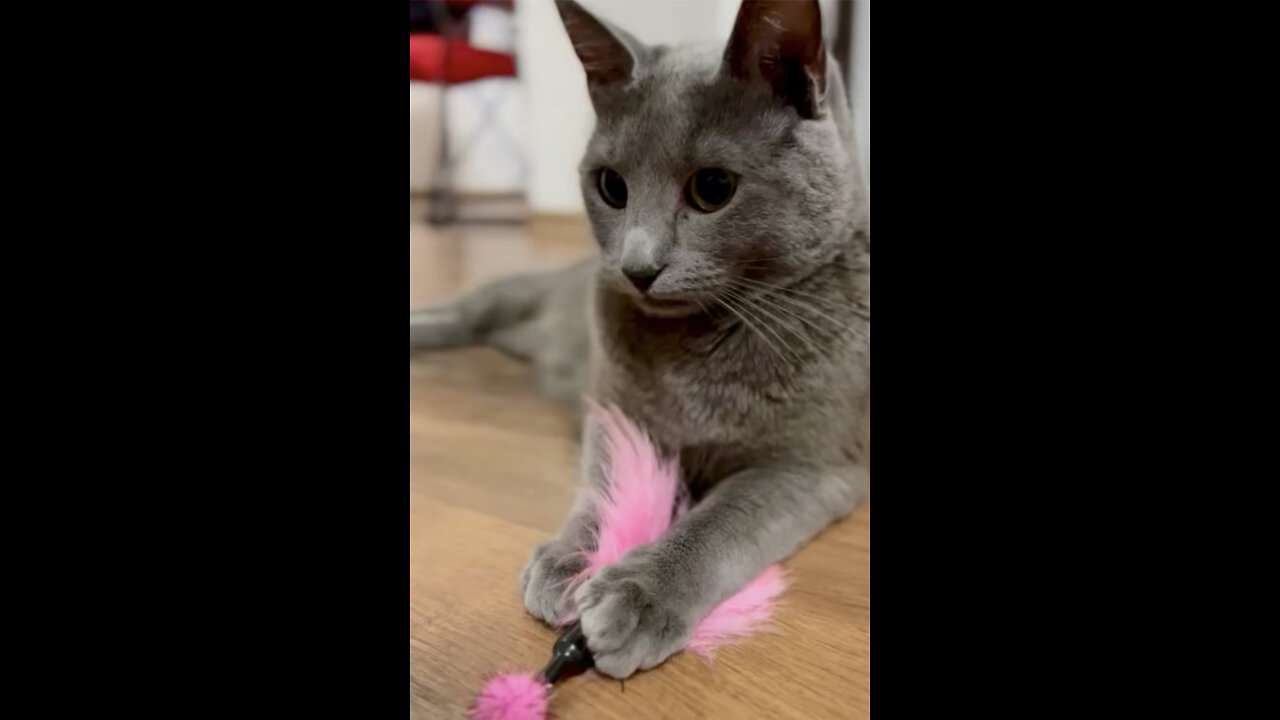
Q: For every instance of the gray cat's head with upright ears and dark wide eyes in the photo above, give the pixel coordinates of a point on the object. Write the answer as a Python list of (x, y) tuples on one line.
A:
[(715, 170)]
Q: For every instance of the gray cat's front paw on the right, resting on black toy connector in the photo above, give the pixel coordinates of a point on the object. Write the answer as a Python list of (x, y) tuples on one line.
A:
[(630, 625)]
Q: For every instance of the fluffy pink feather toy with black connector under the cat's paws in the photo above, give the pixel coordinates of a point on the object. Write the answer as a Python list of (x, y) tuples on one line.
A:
[(637, 508)]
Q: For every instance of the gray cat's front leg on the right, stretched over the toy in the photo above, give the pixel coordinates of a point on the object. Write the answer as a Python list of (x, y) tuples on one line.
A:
[(642, 610)]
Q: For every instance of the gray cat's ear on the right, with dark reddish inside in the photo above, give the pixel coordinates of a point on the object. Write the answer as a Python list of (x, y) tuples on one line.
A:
[(780, 43)]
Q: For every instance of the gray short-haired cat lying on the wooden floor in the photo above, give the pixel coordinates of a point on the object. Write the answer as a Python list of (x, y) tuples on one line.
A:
[(730, 315)]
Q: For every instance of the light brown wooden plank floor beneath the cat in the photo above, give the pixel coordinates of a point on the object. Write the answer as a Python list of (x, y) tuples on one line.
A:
[(491, 475)]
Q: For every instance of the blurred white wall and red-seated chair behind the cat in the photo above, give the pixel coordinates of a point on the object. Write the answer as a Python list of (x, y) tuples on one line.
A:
[(499, 106)]
